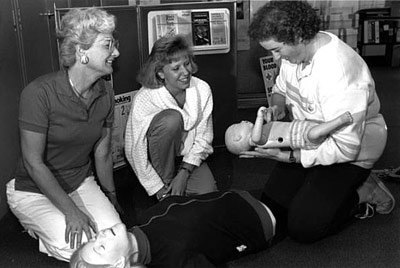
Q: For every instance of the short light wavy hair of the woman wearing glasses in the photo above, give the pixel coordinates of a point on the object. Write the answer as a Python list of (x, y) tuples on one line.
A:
[(81, 26)]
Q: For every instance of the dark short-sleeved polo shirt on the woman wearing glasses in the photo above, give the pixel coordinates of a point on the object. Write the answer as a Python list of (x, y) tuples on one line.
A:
[(48, 105)]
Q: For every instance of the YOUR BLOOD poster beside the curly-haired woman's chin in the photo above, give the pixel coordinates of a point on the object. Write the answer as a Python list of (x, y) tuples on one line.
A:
[(269, 70)]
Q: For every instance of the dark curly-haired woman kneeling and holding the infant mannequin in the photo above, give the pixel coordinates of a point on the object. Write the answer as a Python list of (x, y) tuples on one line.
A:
[(315, 192)]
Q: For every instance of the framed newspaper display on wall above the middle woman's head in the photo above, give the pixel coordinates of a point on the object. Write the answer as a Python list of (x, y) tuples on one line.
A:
[(206, 29)]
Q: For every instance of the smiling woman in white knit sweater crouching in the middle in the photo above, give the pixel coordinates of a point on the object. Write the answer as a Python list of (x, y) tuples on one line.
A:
[(169, 131)]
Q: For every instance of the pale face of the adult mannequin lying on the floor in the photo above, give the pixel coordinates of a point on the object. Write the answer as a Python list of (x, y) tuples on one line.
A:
[(110, 246)]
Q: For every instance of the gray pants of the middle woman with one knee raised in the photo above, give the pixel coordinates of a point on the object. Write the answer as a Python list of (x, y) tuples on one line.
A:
[(164, 138)]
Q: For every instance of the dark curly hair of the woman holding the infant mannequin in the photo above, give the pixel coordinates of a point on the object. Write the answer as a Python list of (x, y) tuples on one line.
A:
[(285, 21)]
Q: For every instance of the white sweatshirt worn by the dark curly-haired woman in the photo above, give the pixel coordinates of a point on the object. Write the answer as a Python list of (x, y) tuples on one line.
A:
[(337, 80)]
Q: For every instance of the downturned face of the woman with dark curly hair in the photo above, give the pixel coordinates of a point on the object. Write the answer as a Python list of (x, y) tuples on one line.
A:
[(295, 54)]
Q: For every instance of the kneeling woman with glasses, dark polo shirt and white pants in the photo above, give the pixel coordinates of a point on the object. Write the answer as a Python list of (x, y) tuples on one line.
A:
[(66, 117)]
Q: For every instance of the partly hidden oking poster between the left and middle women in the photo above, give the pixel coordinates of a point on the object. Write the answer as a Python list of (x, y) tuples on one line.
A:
[(123, 104)]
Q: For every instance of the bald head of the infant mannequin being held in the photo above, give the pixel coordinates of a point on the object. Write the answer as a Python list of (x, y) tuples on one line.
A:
[(238, 137)]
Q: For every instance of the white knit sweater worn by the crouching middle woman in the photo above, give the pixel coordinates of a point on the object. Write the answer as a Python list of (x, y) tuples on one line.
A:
[(197, 118)]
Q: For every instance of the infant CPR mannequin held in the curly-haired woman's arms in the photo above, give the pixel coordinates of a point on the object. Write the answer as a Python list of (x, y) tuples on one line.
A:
[(298, 134)]
